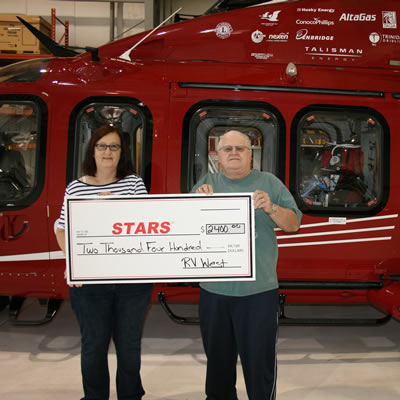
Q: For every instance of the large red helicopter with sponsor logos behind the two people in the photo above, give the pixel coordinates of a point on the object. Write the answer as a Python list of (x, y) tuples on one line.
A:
[(314, 84)]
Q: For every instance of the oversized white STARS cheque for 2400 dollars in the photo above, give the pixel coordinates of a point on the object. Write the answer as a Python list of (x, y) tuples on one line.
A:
[(169, 238)]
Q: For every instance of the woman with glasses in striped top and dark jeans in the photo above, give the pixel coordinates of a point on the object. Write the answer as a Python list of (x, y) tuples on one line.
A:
[(108, 311)]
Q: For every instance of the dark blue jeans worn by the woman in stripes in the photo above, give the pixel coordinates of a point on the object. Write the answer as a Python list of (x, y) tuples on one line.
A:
[(104, 312)]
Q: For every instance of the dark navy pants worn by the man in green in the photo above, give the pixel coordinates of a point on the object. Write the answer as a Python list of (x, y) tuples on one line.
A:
[(240, 325)]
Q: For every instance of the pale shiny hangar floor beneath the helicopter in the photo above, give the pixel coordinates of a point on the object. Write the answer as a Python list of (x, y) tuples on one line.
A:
[(329, 363)]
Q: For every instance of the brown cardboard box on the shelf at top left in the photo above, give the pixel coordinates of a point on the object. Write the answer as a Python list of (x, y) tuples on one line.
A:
[(15, 38)]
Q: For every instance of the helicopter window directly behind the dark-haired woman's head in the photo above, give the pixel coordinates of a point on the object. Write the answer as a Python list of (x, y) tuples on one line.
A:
[(128, 118)]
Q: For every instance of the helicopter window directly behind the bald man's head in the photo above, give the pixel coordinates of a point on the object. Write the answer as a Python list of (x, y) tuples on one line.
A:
[(208, 123)]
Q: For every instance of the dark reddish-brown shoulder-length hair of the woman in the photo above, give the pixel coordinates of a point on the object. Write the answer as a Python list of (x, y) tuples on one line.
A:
[(89, 164)]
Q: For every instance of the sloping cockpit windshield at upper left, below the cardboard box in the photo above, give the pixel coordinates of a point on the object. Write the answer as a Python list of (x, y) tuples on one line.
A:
[(24, 71)]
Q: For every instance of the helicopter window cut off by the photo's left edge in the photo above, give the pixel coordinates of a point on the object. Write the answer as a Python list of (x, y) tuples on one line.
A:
[(18, 151)]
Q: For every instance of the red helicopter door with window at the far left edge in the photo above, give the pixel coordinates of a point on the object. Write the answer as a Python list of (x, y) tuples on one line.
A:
[(23, 209)]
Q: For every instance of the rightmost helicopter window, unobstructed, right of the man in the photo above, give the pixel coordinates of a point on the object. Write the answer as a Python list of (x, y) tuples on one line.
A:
[(340, 160)]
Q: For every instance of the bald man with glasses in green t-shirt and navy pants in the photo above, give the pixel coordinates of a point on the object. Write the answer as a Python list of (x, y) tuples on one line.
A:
[(242, 317)]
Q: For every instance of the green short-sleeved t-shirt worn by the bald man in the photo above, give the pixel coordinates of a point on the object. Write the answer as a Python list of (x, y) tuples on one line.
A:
[(265, 238)]
